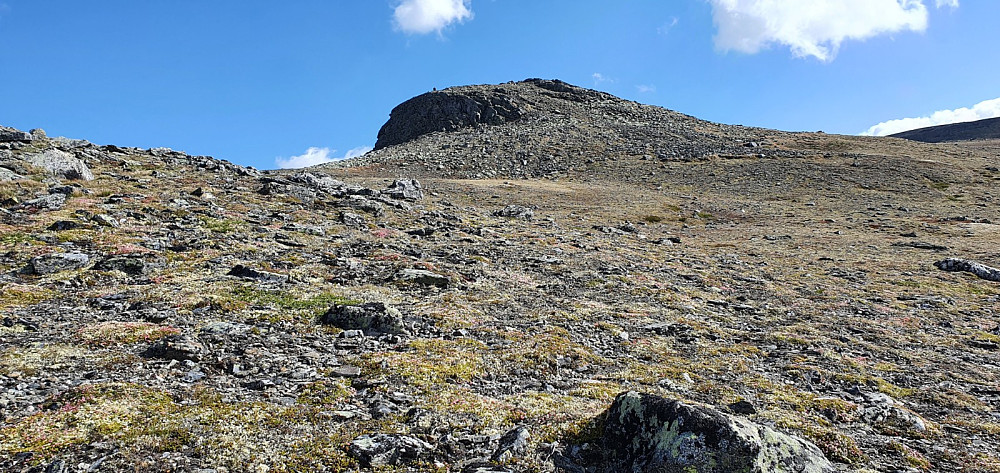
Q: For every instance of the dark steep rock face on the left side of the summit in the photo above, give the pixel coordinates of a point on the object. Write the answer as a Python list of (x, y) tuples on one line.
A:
[(446, 111)]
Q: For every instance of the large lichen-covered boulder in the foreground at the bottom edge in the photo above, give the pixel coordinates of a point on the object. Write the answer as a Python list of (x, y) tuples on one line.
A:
[(651, 433)]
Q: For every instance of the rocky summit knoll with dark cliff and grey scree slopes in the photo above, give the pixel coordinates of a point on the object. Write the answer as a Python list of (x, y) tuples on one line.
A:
[(539, 127)]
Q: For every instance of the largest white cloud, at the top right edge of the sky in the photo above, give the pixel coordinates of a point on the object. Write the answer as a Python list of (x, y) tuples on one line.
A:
[(813, 27)]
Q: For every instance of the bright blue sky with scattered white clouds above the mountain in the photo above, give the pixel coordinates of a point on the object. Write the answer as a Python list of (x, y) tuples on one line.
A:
[(262, 83)]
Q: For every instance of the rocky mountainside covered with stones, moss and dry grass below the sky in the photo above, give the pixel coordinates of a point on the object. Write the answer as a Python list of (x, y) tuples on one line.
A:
[(166, 312)]
